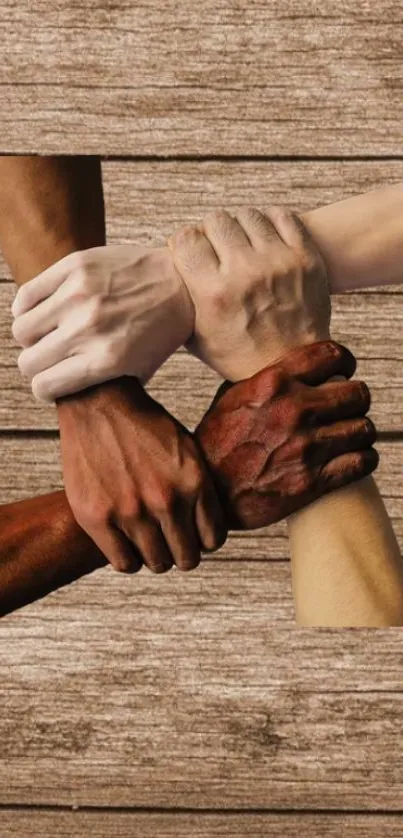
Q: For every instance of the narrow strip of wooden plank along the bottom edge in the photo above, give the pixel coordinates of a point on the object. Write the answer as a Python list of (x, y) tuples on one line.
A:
[(36, 824)]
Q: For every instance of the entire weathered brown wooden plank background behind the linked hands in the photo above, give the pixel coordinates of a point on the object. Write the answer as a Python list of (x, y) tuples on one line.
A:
[(191, 705)]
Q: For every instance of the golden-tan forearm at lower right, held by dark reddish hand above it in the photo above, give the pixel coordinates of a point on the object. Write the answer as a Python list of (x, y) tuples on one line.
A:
[(346, 565)]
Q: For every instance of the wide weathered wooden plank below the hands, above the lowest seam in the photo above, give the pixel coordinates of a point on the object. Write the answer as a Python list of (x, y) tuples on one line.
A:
[(196, 692)]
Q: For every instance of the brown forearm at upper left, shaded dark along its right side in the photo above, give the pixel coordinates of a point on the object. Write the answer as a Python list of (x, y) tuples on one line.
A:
[(49, 207)]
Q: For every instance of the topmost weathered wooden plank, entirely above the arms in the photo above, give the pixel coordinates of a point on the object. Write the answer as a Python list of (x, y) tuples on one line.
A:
[(208, 78)]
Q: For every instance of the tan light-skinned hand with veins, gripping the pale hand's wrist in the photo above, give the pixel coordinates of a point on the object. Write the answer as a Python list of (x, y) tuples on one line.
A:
[(258, 285)]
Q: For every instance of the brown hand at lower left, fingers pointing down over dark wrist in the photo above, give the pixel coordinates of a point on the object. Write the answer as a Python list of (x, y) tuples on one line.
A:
[(136, 480)]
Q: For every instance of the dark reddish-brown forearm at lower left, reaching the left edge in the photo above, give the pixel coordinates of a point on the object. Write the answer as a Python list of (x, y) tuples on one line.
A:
[(41, 549)]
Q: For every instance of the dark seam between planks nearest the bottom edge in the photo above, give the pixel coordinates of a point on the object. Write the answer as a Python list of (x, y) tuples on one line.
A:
[(29, 807)]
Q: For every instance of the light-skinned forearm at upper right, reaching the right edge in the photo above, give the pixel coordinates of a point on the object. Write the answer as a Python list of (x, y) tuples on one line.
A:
[(361, 239)]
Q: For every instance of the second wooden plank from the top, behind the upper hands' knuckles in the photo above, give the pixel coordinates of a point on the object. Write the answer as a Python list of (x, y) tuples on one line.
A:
[(146, 201)]
